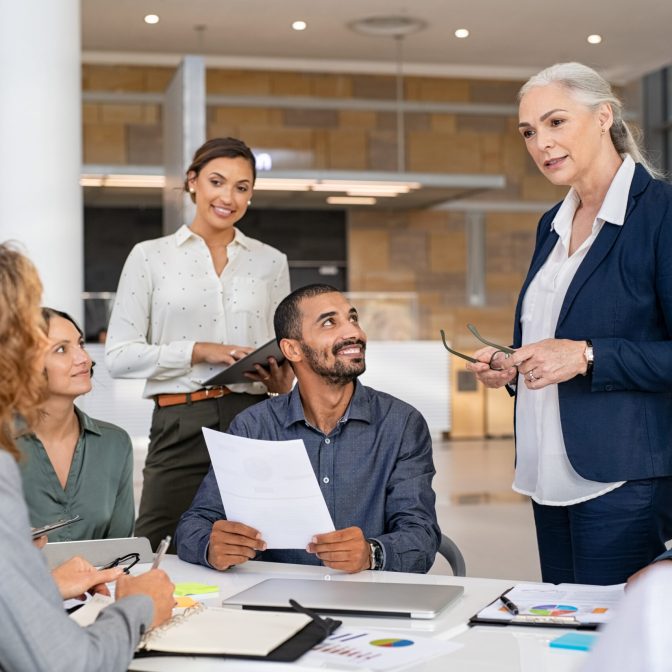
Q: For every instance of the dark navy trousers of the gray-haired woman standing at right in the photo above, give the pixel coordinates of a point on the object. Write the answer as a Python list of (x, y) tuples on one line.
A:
[(605, 540)]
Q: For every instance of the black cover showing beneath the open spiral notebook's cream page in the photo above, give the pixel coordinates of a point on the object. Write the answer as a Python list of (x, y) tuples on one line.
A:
[(290, 650)]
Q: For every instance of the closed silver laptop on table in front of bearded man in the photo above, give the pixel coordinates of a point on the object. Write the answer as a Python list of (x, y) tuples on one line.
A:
[(410, 600)]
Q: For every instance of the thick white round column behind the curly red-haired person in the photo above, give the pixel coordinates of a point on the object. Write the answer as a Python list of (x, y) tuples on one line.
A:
[(40, 142)]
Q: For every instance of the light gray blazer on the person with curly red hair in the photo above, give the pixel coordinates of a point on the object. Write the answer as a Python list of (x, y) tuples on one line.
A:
[(36, 632)]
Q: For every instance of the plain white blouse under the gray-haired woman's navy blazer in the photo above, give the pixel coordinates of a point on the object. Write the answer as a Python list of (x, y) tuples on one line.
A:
[(543, 470)]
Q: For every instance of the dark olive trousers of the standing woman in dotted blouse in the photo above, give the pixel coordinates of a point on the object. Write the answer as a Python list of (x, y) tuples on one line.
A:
[(177, 460)]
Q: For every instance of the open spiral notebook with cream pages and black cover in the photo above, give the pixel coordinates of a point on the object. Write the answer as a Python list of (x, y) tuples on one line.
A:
[(206, 631)]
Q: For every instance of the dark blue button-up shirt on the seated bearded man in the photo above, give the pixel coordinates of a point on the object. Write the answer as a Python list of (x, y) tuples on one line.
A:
[(374, 468)]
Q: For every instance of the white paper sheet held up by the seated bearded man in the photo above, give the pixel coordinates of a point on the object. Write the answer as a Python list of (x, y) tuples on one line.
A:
[(271, 486)]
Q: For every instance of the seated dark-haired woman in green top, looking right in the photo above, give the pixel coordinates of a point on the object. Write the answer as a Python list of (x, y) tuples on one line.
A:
[(73, 464)]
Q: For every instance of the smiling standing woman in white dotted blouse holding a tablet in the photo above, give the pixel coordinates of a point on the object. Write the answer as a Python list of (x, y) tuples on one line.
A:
[(186, 304)]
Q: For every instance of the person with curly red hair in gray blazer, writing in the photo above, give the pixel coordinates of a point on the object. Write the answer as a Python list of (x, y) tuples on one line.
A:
[(36, 632)]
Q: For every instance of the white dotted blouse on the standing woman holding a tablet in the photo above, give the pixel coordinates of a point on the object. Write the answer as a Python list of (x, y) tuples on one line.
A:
[(170, 298)]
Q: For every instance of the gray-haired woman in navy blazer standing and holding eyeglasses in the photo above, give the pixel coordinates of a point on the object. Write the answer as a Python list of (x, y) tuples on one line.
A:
[(592, 369)]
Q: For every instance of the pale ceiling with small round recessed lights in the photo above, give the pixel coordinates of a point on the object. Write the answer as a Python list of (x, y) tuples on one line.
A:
[(509, 38)]
